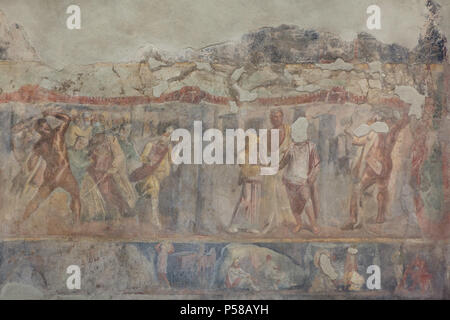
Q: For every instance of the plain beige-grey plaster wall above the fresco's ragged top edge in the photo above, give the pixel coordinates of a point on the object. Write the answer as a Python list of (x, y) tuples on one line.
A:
[(113, 30)]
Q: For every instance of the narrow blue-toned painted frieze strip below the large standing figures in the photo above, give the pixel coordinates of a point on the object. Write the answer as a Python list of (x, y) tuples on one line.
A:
[(202, 270)]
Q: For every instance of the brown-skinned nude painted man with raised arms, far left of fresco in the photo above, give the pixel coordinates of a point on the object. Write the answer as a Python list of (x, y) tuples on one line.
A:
[(52, 148)]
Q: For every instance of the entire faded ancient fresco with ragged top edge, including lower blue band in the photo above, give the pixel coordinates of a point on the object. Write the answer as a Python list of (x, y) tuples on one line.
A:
[(94, 172)]
